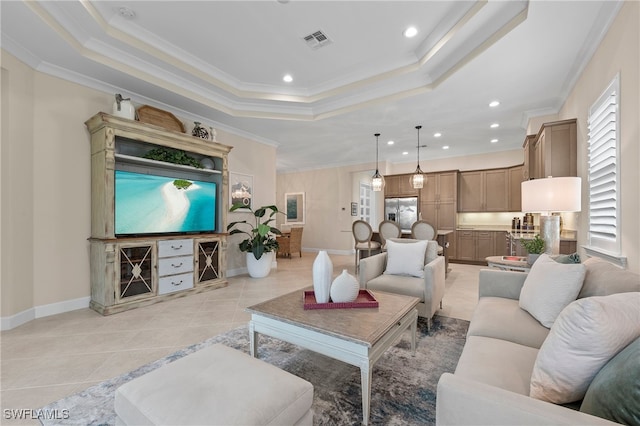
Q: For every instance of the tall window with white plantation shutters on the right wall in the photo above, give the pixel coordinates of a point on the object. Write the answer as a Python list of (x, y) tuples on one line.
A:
[(603, 152)]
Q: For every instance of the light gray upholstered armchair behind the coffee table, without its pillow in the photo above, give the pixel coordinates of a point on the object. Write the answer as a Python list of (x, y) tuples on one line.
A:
[(429, 289)]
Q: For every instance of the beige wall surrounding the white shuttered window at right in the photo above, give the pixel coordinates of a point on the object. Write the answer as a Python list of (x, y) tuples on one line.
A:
[(618, 52)]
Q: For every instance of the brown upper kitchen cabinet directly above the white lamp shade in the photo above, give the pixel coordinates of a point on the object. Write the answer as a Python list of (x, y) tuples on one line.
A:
[(554, 150)]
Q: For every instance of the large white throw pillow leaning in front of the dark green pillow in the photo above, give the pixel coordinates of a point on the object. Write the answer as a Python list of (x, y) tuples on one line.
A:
[(586, 335)]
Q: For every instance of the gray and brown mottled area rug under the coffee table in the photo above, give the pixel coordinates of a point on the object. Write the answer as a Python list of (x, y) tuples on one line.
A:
[(403, 386)]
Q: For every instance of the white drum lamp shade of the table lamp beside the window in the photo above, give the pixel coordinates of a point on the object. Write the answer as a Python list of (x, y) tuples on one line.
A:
[(560, 194)]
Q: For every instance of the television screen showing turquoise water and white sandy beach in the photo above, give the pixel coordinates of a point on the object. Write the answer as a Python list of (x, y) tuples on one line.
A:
[(158, 204)]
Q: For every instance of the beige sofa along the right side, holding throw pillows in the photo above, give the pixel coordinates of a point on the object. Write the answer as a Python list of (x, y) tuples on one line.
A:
[(493, 378)]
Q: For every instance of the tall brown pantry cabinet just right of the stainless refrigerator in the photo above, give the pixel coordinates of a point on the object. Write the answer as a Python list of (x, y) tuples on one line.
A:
[(438, 200)]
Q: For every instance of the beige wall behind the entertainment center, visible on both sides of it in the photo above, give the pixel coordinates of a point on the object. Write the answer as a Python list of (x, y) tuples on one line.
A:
[(45, 183)]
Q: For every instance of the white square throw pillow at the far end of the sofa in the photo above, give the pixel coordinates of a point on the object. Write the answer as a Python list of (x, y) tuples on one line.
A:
[(549, 287)]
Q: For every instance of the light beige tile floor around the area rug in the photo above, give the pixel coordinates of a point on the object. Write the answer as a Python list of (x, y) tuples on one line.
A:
[(50, 358)]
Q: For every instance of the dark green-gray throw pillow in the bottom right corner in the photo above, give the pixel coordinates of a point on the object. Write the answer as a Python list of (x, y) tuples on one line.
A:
[(614, 393)]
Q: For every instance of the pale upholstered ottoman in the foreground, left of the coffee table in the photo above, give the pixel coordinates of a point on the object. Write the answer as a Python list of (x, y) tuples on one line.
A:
[(215, 386)]
